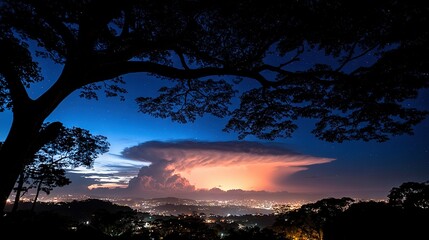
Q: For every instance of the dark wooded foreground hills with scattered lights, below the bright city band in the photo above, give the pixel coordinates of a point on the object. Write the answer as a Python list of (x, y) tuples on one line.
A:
[(404, 216)]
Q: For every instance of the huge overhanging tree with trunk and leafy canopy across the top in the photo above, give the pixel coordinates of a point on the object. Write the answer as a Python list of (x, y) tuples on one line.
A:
[(195, 43)]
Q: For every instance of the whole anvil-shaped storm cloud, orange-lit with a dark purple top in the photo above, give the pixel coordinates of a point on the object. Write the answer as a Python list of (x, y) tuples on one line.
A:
[(190, 165)]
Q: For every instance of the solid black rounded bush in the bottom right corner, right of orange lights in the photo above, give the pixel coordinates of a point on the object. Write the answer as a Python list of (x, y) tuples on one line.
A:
[(378, 220)]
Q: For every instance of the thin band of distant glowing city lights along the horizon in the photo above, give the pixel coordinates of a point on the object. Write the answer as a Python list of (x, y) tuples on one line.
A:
[(175, 206)]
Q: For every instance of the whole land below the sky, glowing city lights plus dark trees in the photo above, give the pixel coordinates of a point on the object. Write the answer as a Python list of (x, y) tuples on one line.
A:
[(175, 218)]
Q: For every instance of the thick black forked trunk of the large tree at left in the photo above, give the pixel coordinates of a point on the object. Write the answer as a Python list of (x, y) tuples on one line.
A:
[(25, 137)]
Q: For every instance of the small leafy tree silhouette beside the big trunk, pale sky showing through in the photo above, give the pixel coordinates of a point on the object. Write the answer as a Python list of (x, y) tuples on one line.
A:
[(73, 147)]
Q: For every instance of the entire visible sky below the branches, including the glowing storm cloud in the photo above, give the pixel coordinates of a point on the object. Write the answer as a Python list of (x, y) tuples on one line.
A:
[(152, 157)]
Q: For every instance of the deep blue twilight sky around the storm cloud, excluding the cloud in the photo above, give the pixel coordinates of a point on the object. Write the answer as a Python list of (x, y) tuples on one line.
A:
[(358, 169)]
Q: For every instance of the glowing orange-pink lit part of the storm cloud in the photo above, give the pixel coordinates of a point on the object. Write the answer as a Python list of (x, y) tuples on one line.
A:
[(231, 170)]
